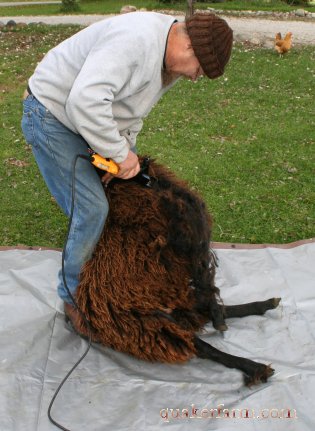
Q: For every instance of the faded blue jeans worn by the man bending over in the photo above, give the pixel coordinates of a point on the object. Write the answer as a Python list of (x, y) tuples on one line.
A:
[(54, 147)]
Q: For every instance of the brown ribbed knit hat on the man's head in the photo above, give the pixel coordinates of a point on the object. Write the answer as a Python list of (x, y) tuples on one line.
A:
[(212, 40)]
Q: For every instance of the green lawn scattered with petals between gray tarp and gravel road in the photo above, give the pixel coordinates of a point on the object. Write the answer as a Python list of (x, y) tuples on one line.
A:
[(245, 141)]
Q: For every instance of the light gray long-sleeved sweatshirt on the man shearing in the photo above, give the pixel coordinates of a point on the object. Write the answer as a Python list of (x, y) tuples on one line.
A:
[(101, 82)]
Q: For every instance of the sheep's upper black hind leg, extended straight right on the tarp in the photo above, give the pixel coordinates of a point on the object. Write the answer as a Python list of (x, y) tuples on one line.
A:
[(252, 308)]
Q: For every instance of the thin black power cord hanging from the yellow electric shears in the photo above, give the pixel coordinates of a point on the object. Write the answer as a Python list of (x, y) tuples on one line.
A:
[(78, 156)]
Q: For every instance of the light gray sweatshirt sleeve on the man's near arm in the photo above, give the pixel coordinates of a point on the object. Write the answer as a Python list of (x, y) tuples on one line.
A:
[(105, 75)]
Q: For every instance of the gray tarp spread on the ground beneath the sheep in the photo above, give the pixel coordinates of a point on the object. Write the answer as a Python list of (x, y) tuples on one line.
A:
[(112, 391)]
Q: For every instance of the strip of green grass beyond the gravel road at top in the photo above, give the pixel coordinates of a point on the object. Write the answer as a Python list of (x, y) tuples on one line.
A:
[(114, 6)]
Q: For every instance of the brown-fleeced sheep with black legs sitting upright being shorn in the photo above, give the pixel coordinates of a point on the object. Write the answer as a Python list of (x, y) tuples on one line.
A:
[(149, 286)]
